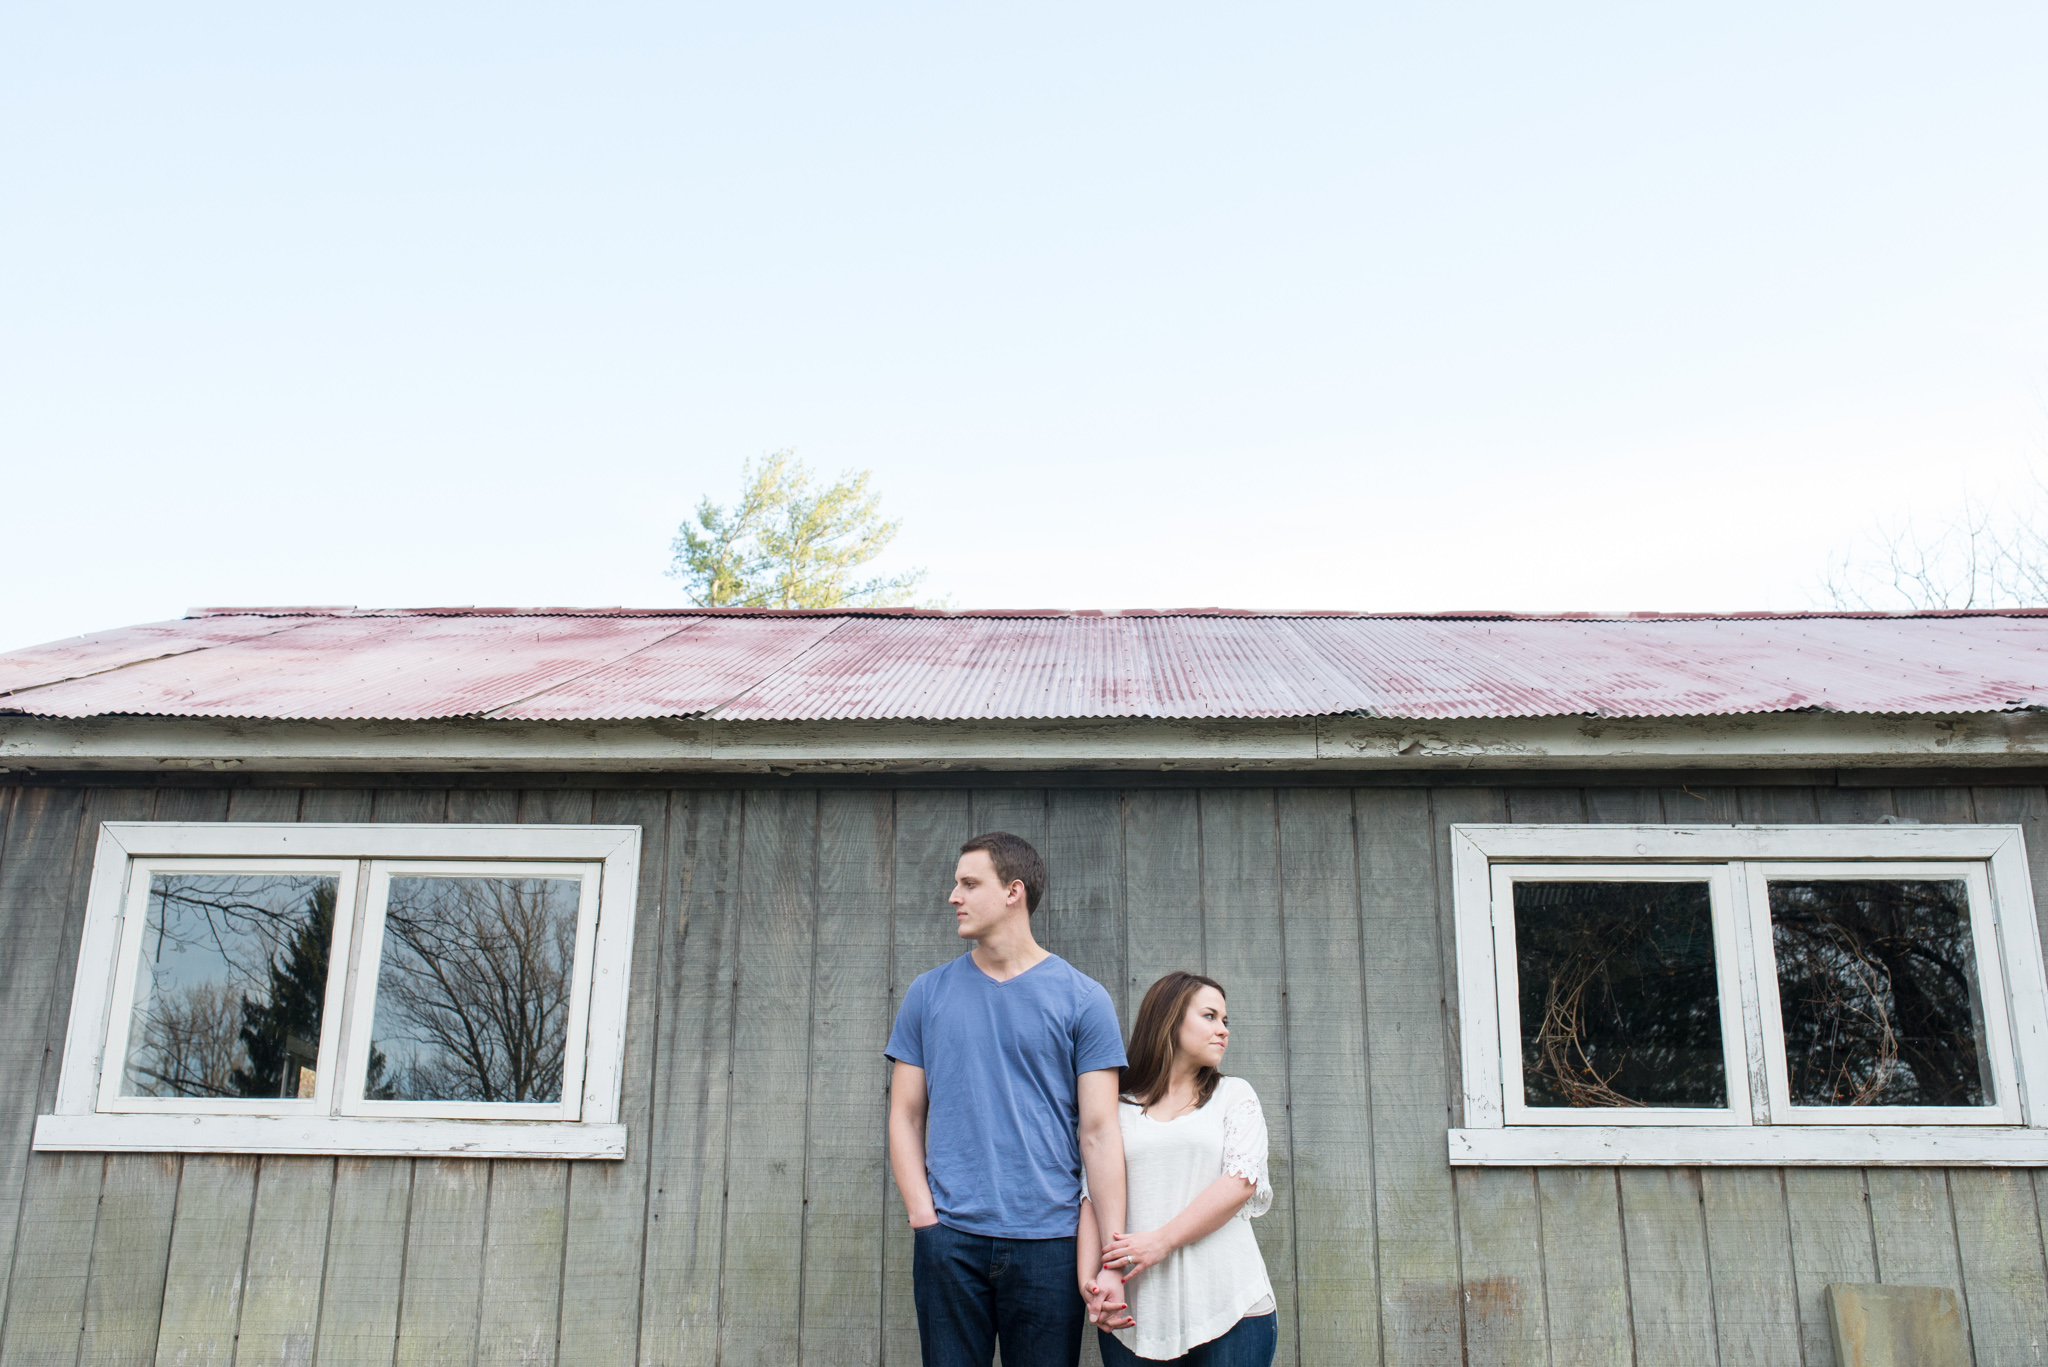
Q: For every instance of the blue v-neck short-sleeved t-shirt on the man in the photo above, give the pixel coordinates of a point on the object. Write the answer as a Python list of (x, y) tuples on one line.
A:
[(1000, 1069)]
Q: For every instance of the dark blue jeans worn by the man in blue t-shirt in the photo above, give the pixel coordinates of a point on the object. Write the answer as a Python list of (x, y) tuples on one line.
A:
[(974, 1290)]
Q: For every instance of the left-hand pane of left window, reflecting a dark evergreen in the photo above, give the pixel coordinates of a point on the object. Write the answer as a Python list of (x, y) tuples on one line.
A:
[(230, 987)]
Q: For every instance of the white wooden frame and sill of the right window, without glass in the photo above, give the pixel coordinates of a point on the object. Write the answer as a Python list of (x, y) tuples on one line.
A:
[(1760, 1126)]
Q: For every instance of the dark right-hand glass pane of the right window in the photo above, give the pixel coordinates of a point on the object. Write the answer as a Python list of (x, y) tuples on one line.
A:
[(1877, 985)]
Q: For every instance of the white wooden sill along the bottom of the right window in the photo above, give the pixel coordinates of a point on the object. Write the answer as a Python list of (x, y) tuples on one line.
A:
[(1857, 1147)]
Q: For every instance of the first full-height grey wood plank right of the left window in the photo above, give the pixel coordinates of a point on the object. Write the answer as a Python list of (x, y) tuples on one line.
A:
[(689, 1128)]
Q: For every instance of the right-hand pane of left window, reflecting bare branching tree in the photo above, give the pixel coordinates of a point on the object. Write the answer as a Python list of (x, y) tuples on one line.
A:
[(474, 989)]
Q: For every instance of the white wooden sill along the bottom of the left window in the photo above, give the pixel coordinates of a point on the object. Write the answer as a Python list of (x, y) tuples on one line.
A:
[(327, 1134)]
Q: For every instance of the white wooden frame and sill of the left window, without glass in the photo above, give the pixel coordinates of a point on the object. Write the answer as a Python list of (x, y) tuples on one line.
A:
[(95, 1118)]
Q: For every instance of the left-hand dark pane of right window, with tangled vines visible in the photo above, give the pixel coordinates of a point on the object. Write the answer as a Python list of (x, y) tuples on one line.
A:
[(1621, 1005)]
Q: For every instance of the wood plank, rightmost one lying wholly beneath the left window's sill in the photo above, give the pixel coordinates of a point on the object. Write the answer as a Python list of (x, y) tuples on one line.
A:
[(521, 1302)]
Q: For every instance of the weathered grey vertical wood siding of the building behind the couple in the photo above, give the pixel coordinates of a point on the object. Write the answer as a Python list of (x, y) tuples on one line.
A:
[(755, 1220)]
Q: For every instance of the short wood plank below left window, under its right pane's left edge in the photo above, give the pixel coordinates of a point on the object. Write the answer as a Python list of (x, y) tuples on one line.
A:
[(366, 1266)]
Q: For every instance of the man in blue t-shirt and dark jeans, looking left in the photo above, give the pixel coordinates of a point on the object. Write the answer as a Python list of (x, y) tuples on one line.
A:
[(1007, 1071)]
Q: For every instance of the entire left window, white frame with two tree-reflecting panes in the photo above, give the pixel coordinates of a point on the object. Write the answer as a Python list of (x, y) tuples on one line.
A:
[(353, 989)]
